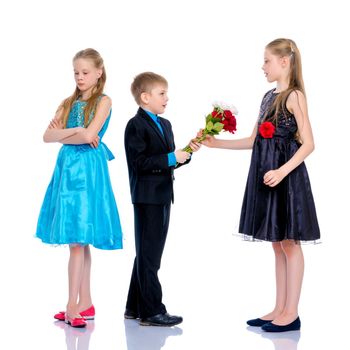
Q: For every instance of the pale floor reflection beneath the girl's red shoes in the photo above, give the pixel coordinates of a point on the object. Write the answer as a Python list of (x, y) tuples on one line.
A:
[(77, 338)]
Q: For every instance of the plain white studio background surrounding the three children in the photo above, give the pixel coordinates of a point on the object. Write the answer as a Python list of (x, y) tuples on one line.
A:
[(207, 50)]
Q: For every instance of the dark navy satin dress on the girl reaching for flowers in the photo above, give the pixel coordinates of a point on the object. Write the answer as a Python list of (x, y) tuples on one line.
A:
[(286, 211)]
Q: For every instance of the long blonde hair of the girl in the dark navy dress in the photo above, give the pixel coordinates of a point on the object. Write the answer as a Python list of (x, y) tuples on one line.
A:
[(282, 48)]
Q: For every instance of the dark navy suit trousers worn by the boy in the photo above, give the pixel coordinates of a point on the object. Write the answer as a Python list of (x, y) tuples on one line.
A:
[(151, 228)]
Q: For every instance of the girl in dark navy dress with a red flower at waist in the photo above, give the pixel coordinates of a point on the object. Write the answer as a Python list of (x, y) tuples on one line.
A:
[(278, 204)]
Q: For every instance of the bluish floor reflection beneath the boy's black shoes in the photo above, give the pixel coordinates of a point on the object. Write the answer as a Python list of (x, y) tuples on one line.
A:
[(147, 338)]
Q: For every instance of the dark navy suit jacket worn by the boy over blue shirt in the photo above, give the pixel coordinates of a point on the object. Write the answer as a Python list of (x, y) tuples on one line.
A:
[(150, 177)]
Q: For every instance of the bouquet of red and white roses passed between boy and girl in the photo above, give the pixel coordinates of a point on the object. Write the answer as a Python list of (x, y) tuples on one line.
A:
[(223, 117)]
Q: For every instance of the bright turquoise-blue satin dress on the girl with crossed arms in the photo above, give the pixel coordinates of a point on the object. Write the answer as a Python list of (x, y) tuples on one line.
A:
[(79, 206)]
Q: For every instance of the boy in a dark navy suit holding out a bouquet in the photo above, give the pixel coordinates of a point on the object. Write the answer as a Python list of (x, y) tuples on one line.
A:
[(151, 157)]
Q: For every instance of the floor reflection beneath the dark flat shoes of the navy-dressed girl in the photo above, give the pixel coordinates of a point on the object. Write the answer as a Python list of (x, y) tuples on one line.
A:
[(281, 341)]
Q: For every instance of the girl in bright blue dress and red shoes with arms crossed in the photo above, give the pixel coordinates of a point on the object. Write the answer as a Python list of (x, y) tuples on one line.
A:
[(79, 207)]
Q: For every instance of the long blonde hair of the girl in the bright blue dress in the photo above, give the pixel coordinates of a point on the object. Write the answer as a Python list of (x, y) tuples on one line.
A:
[(97, 91)]
